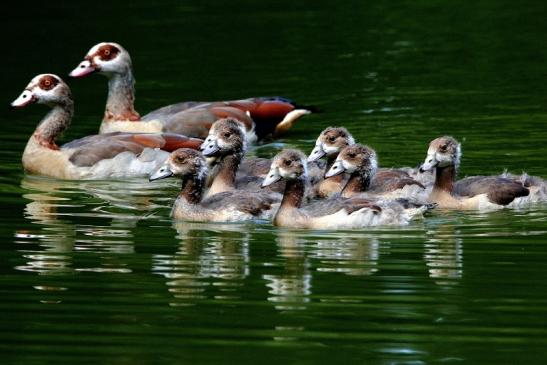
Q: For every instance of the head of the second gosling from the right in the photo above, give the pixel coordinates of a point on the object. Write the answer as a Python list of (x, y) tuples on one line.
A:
[(355, 158)]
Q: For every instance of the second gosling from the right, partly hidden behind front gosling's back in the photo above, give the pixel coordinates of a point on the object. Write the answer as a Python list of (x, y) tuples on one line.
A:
[(361, 164)]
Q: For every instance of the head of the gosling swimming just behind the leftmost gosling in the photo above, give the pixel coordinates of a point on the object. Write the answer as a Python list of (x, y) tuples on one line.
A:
[(226, 136)]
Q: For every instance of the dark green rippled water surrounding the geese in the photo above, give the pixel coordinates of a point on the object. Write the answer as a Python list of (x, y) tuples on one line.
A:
[(97, 272)]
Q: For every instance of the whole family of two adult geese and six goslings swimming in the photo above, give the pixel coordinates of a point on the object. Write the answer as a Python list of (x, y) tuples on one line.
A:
[(204, 145)]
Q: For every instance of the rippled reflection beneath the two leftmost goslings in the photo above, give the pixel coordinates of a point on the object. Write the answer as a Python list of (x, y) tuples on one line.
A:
[(211, 262)]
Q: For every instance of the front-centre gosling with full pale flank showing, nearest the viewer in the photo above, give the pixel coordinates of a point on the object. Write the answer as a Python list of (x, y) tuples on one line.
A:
[(334, 213)]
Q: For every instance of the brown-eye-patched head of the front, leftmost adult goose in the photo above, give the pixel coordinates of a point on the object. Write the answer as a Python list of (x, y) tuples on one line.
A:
[(45, 89)]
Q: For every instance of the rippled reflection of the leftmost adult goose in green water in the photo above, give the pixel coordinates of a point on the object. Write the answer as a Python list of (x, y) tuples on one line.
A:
[(65, 222)]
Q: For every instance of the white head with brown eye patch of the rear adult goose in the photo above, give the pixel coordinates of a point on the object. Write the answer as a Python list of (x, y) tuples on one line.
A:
[(107, 58)]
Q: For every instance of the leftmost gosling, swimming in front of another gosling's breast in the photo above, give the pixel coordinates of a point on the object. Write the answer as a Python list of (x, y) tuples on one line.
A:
[(229, 206)]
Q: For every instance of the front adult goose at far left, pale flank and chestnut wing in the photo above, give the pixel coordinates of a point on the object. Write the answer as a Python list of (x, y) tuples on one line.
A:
[(92, 157)]
